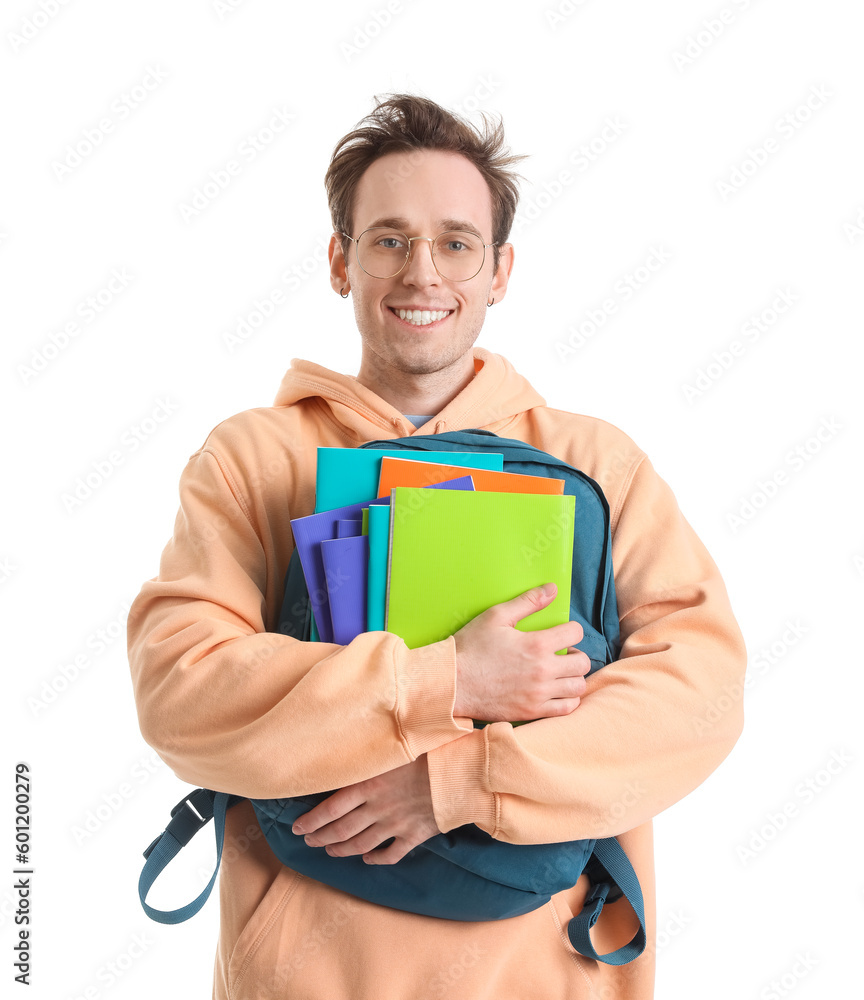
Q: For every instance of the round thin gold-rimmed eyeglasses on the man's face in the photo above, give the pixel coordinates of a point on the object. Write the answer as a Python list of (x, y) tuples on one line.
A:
[(383, 252)]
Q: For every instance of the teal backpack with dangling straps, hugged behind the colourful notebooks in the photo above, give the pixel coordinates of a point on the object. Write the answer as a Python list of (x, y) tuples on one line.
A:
[(464, 874)]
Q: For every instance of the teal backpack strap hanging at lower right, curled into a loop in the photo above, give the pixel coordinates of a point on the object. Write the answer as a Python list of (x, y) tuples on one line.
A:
[(616, 866)]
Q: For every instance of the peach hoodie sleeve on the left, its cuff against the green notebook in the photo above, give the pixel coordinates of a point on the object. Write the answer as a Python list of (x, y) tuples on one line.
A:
[(235, 708)]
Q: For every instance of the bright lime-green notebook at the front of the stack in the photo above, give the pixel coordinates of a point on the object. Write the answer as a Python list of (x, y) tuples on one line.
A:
[(453, 555)]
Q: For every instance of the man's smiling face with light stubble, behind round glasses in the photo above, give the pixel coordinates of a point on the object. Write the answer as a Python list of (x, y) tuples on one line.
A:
[(422, 193)]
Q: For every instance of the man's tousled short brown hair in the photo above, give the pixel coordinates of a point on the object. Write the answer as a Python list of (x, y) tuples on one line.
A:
[(407, 122)]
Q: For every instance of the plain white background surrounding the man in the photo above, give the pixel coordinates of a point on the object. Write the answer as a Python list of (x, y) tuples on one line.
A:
[(759, 877)]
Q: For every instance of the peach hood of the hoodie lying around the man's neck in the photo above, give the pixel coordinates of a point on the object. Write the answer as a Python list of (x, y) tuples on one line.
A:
[(495, 398)]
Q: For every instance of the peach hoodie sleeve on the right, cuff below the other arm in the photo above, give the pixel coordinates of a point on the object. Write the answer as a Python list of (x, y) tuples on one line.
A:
[(652, 725)]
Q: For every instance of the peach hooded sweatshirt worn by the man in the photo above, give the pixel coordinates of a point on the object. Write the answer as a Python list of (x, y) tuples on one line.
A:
[(233, 706)]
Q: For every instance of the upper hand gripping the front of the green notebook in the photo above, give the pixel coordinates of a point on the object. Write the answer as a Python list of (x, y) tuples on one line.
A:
[(506, 675)]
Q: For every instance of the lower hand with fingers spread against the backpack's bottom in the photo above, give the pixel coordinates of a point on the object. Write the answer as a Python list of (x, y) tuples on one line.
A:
[(357, 818)]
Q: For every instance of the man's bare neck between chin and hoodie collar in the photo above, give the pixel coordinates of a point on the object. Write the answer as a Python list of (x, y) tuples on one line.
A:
[(416, 392)]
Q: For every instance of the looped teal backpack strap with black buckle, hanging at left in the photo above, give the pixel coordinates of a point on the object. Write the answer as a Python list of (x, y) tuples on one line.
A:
[(190, 814)]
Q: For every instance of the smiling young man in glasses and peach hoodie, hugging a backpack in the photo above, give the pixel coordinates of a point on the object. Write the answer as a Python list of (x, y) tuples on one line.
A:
[(422, 204)]
